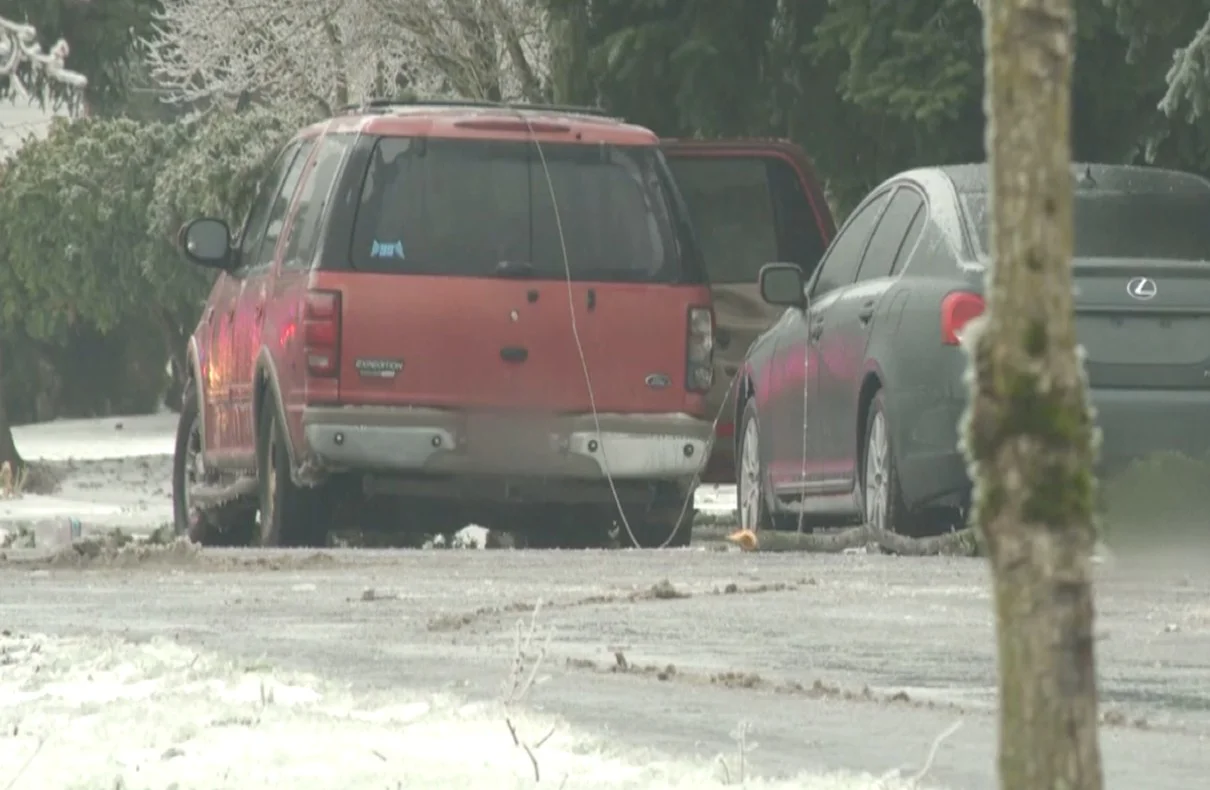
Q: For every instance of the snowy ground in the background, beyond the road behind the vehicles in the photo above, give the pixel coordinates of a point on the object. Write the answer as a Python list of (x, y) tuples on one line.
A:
[(118, 474)]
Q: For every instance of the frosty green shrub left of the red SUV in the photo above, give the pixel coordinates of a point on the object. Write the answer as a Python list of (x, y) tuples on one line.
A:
[(90, 273)]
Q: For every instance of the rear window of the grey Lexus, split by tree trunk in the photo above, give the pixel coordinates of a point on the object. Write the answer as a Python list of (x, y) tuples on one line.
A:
[(1113, 224)]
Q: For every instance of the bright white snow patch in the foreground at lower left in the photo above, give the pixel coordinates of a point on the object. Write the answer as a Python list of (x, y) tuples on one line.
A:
[(90, 713)]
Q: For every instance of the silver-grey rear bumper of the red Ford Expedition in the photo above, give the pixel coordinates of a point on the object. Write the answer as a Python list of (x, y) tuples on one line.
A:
[(637, 447)]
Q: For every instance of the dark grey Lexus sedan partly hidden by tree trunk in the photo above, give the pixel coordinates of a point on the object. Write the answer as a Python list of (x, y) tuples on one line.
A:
[(848, 410)]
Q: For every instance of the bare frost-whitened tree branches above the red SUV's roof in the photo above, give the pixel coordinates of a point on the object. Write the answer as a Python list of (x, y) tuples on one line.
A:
[(331, 53)]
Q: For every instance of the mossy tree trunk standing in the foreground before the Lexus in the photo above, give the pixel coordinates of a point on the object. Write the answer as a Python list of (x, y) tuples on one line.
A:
[(1029, 433)]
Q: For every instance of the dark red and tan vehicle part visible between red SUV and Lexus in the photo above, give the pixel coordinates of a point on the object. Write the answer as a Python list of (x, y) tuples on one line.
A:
[(752, 203)]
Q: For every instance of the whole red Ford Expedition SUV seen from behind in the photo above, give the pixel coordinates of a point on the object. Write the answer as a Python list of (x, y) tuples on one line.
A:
[(447, 313)]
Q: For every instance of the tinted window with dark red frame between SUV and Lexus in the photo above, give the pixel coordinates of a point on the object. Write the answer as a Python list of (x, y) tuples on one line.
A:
[(748, 211)]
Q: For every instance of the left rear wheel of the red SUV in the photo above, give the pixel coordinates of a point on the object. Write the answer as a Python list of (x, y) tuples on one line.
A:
[(290, 515)]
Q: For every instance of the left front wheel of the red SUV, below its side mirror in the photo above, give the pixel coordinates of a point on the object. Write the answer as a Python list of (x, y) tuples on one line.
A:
[(223, 526)]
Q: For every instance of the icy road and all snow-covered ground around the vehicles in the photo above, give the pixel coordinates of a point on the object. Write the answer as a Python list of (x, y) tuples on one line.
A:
[(391, 670)]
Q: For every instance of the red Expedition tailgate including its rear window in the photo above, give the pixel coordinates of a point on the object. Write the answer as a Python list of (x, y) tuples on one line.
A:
[(457, 291)]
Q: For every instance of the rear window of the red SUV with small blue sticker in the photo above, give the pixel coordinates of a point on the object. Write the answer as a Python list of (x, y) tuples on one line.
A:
[(482, 209)]
